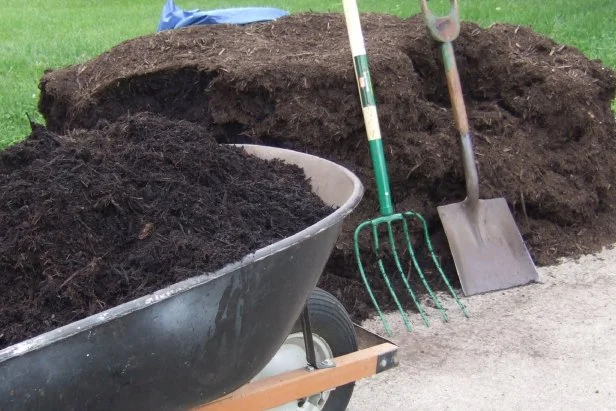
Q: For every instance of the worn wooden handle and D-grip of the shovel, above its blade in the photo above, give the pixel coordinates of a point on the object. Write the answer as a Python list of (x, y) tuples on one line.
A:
[(445, 30)]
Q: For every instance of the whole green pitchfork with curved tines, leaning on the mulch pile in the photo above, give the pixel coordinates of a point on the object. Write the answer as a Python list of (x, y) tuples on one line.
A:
[(388, 216)]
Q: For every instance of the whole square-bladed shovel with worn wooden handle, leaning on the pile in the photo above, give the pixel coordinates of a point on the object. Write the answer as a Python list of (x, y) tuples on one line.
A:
[(487, 247)]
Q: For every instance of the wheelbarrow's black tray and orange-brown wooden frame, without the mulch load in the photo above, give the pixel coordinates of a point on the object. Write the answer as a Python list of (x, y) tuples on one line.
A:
[(201, 342)]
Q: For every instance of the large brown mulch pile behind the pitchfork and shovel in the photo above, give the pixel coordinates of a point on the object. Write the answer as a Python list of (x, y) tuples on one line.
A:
[(539, 111)]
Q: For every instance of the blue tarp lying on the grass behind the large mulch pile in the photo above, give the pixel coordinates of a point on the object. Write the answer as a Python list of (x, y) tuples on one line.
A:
[(174, 17)]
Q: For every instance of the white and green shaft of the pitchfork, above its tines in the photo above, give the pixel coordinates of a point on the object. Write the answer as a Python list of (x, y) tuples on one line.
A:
[(368, 104)]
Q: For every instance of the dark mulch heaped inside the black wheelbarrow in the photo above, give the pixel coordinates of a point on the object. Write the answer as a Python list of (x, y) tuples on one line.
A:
[(97, 218)]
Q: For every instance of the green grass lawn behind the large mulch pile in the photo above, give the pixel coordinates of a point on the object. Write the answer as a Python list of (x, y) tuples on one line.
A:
[(37, 35)]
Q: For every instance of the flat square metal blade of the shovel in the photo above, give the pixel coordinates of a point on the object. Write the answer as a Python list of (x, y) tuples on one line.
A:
[(487, 247)]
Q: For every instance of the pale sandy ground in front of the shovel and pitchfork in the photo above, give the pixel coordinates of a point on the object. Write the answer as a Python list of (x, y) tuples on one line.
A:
[(547, 346)]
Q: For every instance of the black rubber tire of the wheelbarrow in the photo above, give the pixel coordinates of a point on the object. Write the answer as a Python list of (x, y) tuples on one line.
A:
[(330, 320)]
